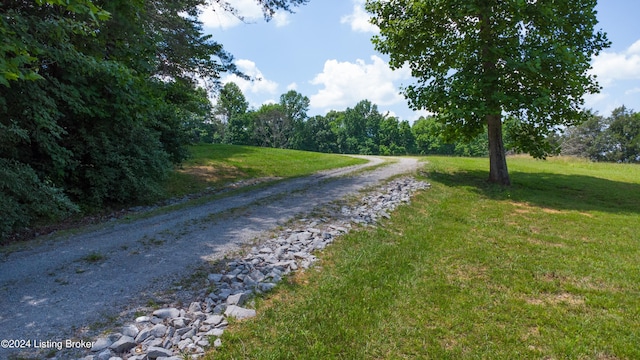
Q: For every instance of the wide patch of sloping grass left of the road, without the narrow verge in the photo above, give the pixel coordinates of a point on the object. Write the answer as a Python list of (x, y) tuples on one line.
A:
[(217, 165)]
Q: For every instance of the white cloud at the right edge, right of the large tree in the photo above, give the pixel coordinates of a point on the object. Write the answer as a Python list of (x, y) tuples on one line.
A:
[(611, 67)]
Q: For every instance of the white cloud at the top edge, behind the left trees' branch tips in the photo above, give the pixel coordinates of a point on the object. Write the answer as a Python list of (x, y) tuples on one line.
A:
[(213, 16)]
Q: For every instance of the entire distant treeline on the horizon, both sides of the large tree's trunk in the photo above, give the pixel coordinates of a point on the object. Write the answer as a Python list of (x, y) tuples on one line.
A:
[(364, 130)]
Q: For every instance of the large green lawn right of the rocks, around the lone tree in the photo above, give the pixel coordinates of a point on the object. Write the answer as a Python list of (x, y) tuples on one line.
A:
[(546, 269)]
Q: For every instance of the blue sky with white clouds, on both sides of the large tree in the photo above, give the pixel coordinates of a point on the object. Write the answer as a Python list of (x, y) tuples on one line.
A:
[(324, 51)]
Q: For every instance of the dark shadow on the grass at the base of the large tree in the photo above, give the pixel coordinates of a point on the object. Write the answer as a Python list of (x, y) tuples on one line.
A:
[(549, 190)]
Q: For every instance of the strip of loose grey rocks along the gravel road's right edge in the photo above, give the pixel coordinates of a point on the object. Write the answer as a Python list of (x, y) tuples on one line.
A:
[(172, 333)]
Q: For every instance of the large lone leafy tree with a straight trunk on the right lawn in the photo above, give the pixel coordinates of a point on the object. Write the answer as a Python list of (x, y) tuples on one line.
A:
[(477, 60)]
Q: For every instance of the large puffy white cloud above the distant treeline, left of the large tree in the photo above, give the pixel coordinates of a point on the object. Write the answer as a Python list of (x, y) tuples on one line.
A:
[(346, 83)]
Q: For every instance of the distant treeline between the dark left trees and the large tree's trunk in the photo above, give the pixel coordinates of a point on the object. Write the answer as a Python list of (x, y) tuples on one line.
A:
[(362, 129)]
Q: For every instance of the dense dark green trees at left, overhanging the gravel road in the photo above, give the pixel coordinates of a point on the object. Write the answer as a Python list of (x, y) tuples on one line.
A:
[(98, 99)]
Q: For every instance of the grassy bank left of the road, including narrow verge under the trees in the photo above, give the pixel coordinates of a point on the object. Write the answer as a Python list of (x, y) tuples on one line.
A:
[(210, 167)]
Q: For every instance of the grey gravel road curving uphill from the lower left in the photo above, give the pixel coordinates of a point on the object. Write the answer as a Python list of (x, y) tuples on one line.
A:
[(60, 285)]
